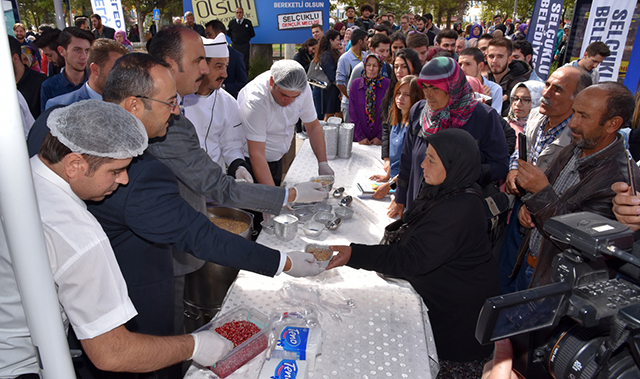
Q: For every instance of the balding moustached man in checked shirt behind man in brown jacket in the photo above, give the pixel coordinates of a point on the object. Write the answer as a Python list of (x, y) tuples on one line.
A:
[(547, 133)]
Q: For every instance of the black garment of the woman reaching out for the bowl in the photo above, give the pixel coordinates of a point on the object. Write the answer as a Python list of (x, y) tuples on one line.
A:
[(446, 257)]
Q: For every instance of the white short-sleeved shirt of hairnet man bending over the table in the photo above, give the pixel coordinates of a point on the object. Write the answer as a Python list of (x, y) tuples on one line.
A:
[(266, 121)]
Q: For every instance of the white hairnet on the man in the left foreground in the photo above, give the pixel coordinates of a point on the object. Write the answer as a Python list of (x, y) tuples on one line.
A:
[(98, 128)]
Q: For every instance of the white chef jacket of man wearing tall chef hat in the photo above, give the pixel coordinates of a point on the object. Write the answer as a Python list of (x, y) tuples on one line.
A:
[(217, 120)]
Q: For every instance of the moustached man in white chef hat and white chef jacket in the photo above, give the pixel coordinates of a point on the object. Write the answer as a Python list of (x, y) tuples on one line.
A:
[(215, 114)]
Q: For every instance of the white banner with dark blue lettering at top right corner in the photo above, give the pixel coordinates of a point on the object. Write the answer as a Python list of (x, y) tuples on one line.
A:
[(609, 22)]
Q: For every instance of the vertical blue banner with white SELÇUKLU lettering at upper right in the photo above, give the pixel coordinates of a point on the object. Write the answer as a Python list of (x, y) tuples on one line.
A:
[(543, 29)]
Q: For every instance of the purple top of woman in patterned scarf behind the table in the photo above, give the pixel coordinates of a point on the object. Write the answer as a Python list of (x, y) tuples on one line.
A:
[(357, 110)]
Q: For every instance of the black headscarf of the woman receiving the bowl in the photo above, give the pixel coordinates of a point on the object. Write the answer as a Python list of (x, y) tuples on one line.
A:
[(460, 156)]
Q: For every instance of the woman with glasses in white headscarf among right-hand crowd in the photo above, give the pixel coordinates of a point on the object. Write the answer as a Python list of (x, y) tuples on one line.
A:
[(525, 96)]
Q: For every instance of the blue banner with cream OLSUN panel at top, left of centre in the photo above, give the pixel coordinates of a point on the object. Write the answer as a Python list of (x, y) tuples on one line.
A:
[(273, 21)]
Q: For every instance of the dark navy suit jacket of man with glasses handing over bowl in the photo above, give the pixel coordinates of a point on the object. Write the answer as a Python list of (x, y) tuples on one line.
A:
[(148, 215)]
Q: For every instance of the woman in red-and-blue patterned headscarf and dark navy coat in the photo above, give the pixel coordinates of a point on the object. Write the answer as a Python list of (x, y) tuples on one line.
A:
[(449, 104)]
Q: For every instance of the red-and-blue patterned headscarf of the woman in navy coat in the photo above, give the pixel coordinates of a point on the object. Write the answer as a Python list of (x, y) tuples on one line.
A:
[(445, 74)]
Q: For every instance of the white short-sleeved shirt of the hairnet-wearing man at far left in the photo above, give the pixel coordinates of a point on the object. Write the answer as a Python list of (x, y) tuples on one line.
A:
[(91, 290)]
